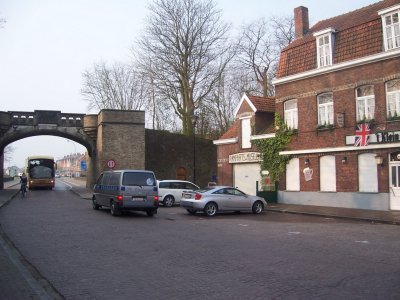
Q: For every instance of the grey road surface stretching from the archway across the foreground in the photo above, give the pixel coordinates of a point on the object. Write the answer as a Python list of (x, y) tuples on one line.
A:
[(88, 254)]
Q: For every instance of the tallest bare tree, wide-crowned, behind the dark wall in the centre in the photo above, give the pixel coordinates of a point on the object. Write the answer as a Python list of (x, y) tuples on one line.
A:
[(184, 50)]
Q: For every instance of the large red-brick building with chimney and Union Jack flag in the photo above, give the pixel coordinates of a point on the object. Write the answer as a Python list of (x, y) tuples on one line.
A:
[(338, 84)]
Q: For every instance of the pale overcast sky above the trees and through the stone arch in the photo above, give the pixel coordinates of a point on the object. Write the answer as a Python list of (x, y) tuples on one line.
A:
[(46, 45)]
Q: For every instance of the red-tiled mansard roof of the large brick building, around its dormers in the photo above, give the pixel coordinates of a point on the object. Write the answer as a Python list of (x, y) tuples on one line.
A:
[(358, 34)]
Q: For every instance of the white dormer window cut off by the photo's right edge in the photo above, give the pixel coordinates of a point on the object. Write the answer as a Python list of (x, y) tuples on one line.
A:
[(391, 27)]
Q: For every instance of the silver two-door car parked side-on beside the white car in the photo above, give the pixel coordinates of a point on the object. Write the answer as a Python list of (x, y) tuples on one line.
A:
[(216, 199)]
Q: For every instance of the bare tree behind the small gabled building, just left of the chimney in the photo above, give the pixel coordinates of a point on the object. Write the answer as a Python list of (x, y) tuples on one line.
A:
[(259, 47)]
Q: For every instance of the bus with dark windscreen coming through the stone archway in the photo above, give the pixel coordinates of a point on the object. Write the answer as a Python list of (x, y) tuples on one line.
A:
[(40, 170)]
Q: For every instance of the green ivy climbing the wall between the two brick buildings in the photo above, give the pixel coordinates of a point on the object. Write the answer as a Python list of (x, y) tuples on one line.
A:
[(274, 163)]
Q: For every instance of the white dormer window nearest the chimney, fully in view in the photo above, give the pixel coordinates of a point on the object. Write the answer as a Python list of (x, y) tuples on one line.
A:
[(324, 41)]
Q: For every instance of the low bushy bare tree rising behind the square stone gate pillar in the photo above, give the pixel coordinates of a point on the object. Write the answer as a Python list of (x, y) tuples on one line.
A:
[(117, 87)]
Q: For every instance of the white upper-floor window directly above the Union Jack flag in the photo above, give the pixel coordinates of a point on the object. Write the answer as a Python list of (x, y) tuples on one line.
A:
[(365, 103)]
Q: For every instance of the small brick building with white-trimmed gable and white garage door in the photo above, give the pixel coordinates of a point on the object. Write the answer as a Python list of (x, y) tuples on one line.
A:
[(238, 161)]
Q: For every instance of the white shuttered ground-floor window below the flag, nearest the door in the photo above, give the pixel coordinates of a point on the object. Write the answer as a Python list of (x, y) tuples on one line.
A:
[(367, 173)]
